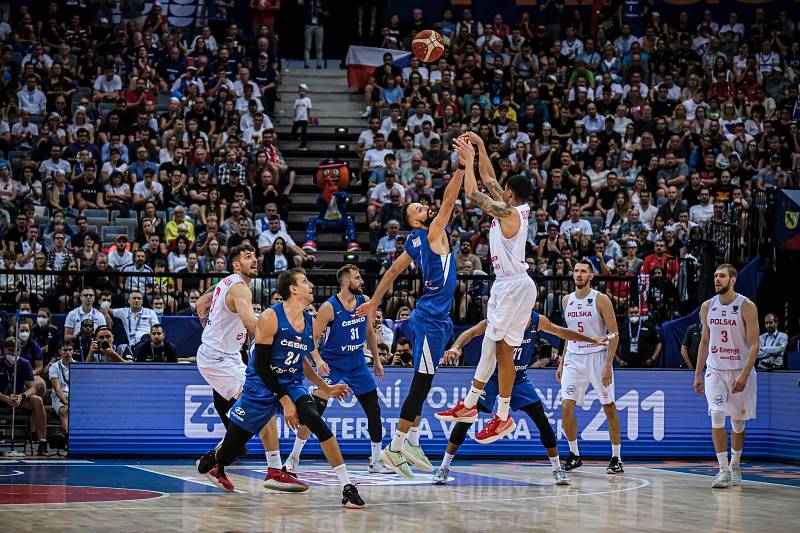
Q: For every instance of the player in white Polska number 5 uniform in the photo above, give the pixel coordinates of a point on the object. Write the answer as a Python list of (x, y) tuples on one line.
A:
[(591, 313)]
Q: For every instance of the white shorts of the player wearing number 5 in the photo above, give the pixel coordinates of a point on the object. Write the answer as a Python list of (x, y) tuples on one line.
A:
[(581, 370)]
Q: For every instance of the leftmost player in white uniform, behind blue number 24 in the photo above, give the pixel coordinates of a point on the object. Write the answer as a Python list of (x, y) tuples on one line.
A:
[(227, 315)]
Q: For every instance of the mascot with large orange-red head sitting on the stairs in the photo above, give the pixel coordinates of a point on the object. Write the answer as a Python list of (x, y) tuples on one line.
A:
[(333, 178)]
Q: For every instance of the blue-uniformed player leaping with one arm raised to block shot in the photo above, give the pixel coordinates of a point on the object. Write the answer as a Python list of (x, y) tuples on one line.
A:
[(428, 247)]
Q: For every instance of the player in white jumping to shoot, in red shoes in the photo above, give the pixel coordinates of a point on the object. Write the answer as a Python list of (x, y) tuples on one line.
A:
[(513, 293)]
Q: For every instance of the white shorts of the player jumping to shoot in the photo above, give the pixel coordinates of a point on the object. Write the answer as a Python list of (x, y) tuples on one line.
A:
[(511, 301)]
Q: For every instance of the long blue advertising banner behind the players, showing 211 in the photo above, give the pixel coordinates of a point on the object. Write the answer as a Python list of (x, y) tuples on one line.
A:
[(168, 410)]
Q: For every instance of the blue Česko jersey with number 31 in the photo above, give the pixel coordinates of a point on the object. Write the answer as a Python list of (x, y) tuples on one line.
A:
[(346, 335)]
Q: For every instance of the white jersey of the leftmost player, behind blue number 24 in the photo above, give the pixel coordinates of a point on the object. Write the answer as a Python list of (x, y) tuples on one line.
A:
[(224, 331)]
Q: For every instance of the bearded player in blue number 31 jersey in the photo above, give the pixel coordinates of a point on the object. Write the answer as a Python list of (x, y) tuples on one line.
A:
[(342, 360)]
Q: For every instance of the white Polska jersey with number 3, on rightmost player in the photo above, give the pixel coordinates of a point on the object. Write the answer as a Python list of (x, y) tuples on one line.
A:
[(727, 340)]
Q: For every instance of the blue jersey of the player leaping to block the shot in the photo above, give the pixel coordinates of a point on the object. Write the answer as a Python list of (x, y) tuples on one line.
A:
[(438, 275)]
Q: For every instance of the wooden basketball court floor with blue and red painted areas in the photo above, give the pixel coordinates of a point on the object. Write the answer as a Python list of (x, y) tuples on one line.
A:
[(489, 496)]
